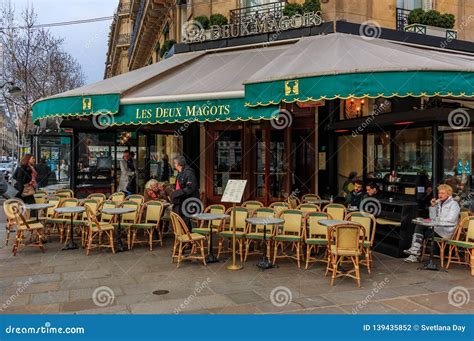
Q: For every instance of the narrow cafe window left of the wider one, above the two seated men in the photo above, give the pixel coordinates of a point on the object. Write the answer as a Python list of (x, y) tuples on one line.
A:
[(378, 154)]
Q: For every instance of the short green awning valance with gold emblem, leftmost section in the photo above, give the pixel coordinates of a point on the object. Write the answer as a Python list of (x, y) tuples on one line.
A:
[(74, 106)]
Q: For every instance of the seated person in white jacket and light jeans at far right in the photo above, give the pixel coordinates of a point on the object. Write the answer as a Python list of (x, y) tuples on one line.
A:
[(448, 210)]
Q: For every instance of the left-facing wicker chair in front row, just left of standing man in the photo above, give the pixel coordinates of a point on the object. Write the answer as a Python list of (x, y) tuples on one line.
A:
[(149, 221)]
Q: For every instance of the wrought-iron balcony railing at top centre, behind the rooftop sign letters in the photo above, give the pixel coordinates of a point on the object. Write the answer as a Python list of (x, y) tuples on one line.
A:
[(272, 10)]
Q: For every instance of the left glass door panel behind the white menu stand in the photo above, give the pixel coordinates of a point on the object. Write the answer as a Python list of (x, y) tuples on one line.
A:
[(227, 159)]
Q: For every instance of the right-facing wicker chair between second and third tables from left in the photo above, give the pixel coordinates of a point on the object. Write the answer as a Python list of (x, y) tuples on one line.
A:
[(96, 231)]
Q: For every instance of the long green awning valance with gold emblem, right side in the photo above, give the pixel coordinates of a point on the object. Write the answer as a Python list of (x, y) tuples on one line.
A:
[(359, 85)]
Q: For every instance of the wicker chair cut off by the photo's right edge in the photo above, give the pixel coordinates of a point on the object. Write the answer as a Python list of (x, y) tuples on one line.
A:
[(462, 244)]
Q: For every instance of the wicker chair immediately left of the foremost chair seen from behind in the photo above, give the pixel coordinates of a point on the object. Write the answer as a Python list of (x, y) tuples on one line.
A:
[(316, 236)]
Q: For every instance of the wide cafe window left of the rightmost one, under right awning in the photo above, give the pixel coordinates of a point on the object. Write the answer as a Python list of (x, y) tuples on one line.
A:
[(413, 151)]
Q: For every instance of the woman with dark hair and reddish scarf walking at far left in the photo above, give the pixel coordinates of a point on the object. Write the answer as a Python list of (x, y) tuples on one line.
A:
[(25, 177)]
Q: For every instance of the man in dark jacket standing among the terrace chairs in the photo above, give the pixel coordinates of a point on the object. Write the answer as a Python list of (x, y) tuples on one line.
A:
[(186, 188)]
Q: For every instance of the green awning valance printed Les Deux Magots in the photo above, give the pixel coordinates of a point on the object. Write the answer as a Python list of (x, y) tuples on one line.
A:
[(191, 111)]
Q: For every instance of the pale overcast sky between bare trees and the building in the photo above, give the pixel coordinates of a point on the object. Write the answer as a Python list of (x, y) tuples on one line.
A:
[(86, 42)]
